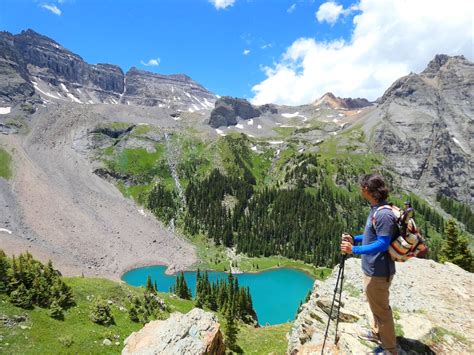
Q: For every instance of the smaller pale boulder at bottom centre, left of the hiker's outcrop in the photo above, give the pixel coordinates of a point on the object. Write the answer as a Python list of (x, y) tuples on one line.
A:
[(196, 332)]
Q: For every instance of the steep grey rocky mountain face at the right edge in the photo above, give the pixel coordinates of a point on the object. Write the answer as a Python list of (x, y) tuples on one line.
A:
[(425, 128)]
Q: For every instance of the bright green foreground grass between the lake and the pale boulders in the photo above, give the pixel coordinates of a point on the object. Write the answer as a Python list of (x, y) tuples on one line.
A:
[(78, 334)]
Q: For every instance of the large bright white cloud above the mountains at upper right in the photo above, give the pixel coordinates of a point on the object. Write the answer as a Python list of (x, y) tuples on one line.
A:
[(390, 39)]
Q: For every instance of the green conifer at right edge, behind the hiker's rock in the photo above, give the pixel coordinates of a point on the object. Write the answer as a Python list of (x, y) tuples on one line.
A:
[(455, 248)]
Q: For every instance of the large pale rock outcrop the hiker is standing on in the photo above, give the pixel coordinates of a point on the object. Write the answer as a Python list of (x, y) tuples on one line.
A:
[(431, 304)]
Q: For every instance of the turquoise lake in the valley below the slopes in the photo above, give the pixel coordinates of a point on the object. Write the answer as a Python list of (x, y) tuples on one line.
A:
[(276, 294)]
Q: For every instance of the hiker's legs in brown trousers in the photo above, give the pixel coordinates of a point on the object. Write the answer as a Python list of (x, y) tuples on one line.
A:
[(377, 292)]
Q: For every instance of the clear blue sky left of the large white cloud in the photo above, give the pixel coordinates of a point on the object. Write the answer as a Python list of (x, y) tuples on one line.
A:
[(188, 36)]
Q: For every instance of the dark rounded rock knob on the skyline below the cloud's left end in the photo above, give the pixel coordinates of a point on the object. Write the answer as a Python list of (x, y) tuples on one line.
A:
[(228, 110)]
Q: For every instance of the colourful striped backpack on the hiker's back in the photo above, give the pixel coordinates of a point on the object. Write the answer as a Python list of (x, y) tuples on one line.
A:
[(410, 243)]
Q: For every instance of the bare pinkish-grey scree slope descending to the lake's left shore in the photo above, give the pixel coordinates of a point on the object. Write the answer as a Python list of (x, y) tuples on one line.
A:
[(71, 215)]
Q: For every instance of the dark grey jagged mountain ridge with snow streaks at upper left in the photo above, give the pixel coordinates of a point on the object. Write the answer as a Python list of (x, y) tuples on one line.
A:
[(32, 63)]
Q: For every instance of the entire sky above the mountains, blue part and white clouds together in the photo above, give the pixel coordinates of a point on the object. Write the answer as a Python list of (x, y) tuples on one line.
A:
[(298, 49)]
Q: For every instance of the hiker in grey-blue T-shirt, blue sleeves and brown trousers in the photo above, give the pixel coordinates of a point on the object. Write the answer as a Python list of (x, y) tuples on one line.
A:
[(377, 265)]
